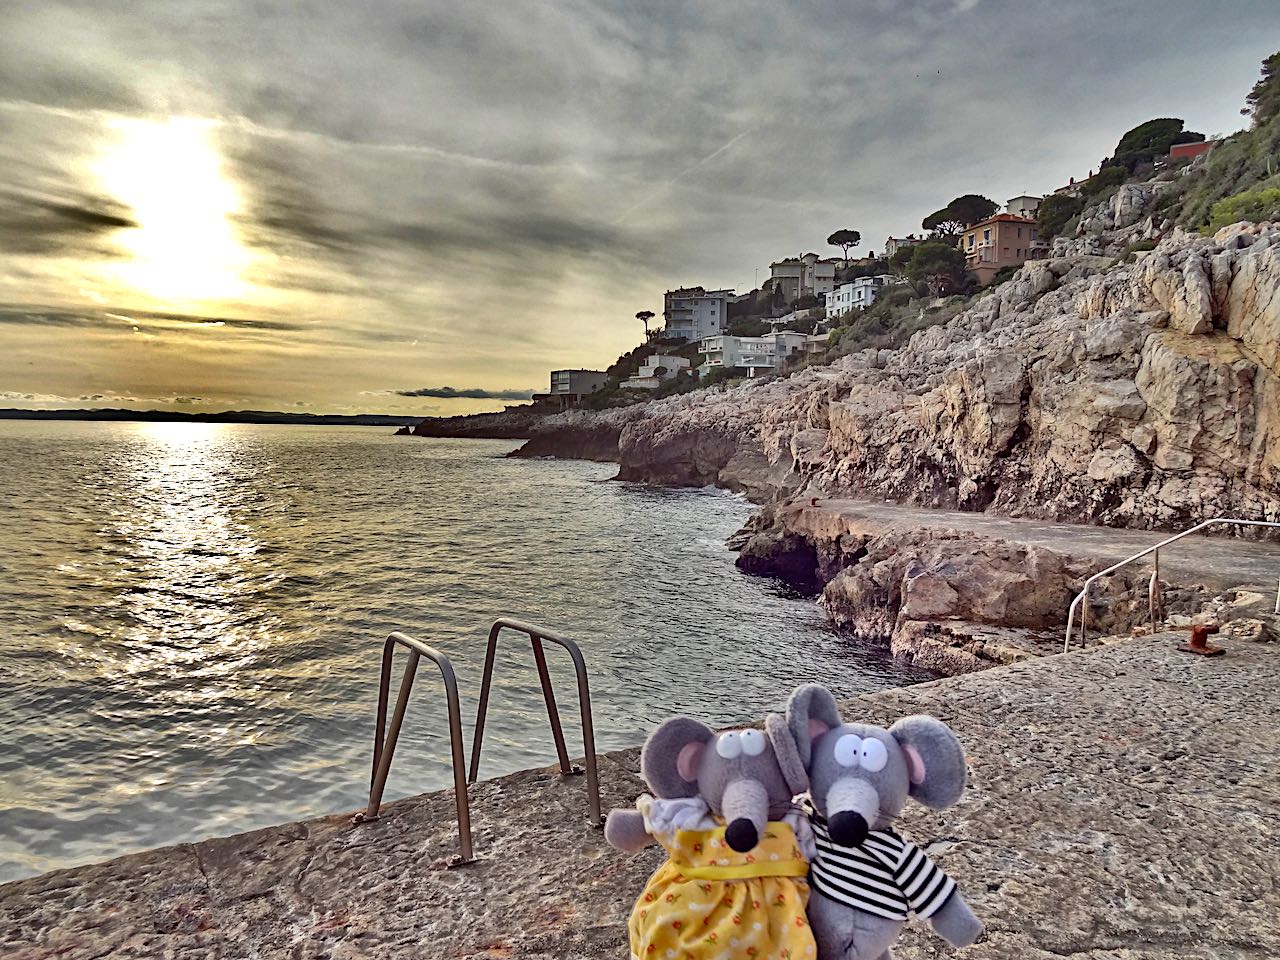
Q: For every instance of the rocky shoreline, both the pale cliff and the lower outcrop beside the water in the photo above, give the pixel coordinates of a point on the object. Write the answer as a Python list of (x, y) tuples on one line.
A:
[(1139, 392)]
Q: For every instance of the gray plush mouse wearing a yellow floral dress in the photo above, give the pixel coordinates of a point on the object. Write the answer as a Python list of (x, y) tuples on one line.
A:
[(734, 883)]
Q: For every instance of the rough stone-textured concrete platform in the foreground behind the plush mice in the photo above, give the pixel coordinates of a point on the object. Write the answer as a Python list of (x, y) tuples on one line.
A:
[(1126, 803)]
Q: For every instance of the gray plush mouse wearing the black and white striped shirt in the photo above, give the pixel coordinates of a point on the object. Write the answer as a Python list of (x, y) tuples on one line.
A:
[(866, 879)]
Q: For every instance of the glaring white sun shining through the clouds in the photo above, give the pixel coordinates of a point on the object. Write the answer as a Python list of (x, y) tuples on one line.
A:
[(185, 246)]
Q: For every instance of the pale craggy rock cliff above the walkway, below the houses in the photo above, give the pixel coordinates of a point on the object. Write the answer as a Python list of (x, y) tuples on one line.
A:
[(1142, 394)]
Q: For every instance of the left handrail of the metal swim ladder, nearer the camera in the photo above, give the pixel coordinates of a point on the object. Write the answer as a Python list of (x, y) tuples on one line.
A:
[(385, 749)]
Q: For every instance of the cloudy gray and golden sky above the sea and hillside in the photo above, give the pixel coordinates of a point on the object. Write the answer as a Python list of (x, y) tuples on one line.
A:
[(424, 208)]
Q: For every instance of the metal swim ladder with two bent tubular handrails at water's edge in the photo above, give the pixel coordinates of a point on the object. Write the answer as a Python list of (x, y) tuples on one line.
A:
[(386, 739)]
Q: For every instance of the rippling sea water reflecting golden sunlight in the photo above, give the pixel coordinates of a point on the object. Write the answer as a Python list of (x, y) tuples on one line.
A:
[(191, 619)]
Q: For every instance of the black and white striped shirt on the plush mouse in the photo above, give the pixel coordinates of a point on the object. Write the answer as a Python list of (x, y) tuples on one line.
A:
[(886, 876)]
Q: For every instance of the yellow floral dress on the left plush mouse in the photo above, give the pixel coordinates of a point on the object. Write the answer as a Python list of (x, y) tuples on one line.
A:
[(710, 902)]
